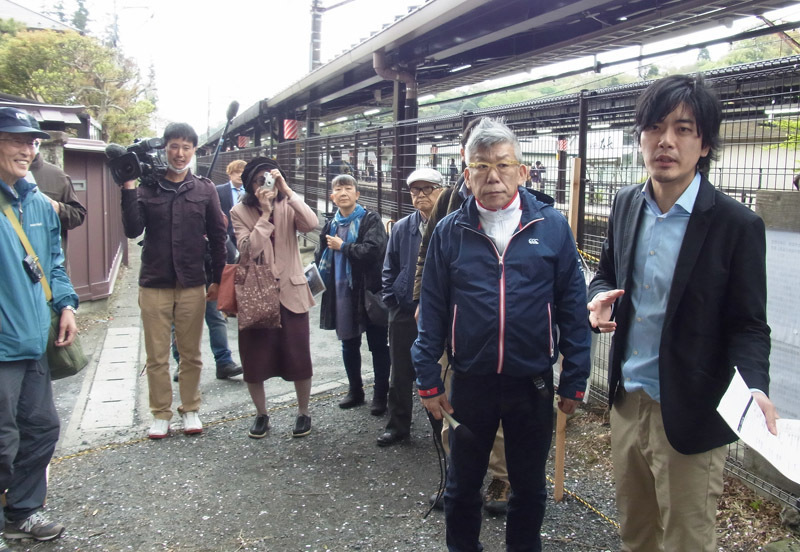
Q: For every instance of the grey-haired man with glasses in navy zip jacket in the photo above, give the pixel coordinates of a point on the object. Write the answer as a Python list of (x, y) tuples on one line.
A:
[(501, 274)]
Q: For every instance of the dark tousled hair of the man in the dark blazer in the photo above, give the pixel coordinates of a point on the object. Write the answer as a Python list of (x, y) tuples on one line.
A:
[(665, 95)]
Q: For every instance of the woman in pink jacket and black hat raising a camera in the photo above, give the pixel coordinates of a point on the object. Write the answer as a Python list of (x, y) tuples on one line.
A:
[(266, 222)]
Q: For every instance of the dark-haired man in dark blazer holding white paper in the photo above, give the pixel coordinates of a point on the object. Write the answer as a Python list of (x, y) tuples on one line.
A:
[(682, 280)]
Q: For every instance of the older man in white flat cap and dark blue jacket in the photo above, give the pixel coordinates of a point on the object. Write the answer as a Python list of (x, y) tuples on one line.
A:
[(399, 266)]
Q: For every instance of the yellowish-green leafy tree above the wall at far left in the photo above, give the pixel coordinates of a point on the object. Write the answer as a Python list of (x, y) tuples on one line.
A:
[(70, 69)]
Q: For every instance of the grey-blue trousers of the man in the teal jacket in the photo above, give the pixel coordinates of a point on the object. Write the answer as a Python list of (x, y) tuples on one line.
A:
[(28, 434)]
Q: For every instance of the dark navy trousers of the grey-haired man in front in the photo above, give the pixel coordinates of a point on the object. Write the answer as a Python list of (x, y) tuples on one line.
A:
[(480, 403)]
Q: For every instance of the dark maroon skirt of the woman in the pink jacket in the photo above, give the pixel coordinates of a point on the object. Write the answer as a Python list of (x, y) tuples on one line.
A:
[(277, 352)]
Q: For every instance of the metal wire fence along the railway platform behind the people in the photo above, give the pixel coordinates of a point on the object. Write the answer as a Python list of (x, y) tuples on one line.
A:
[(761, 103)]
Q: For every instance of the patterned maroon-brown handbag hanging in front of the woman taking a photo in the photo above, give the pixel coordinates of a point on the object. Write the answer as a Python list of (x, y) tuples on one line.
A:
[(257, 294)]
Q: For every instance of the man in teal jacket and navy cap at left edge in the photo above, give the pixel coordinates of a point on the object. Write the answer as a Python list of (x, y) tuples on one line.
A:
[(28, 419)]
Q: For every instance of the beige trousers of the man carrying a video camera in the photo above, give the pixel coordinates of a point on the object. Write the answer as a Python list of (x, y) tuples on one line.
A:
[(161, 308)]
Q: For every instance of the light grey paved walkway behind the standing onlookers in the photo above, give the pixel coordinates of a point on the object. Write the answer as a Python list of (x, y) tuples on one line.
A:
[(109, 399)]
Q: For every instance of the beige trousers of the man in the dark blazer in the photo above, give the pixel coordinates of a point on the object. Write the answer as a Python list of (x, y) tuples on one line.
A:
[(667, 501)]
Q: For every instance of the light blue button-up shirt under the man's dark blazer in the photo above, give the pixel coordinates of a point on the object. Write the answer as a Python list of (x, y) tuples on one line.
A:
[(658, 243)]
